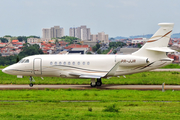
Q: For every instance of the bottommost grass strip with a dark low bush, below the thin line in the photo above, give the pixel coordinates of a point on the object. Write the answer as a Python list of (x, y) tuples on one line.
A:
[(82, 111)]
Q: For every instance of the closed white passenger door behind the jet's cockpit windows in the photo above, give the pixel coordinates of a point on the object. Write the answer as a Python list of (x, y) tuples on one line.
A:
[(37, 66)]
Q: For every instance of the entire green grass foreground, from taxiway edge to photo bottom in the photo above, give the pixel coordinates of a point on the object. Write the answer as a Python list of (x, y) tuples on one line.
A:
[(46, 104)]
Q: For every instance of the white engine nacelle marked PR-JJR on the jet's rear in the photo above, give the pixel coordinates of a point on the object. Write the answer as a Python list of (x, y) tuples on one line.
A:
[(133, 61)]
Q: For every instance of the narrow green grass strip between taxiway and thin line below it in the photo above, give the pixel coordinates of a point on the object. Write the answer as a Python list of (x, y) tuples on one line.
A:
[(56, 95)]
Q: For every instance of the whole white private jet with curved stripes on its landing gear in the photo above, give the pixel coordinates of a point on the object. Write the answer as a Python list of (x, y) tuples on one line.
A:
[(152, 55)]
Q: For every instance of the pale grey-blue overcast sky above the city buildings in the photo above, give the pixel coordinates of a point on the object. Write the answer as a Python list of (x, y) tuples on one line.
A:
[(114, 17)]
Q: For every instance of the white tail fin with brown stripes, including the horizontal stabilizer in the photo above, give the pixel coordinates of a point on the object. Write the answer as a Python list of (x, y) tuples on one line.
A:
[(156, 46)]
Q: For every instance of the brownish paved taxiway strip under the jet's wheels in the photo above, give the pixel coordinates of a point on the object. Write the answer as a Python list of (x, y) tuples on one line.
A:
[(82, 87)]
